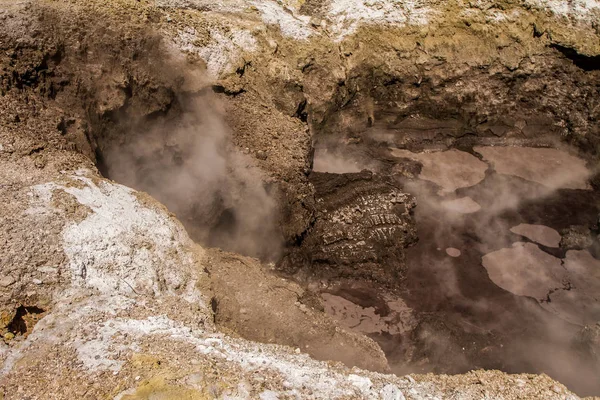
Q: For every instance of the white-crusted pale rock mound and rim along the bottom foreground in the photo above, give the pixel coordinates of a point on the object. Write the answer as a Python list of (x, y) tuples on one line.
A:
[(128, 329)]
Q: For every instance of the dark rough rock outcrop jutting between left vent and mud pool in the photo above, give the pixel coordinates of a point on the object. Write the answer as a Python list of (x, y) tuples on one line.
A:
[(363, 224)]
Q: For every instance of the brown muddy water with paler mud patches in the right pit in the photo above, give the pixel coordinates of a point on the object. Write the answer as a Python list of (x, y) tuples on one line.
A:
[(489, 284)]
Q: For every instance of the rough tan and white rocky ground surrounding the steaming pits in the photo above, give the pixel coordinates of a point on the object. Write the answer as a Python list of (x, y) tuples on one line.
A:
[(104, 282)]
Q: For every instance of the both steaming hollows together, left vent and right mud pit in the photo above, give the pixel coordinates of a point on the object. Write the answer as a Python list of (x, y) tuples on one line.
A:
[(431, 236)]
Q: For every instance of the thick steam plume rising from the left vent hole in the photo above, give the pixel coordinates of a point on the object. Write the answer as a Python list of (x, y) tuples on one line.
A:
[(188, 163)]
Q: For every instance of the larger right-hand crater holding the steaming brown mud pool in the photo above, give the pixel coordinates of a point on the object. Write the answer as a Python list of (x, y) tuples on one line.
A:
[(485, 281)]
